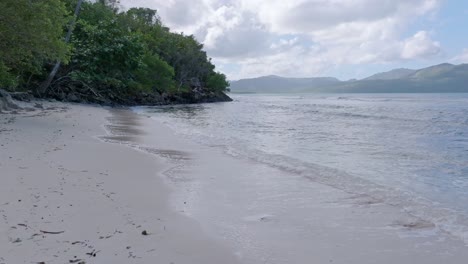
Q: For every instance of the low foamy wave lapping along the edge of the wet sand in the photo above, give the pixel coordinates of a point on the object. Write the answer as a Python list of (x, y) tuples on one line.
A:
[(424, 211)]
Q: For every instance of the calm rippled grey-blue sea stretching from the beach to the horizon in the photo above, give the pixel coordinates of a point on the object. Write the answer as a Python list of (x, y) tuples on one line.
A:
[(408, 150)]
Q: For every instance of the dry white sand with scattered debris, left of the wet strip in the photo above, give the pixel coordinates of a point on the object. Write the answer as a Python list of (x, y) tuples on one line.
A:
[(56, 175)]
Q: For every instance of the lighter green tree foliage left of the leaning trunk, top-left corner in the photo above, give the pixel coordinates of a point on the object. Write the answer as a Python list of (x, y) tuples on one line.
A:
[(31, 34)]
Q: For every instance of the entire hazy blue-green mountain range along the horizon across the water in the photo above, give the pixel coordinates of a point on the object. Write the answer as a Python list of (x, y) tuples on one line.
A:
[(435, 79)]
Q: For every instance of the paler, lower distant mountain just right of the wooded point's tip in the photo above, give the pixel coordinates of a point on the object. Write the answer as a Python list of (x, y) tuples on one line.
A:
[(277, 84)]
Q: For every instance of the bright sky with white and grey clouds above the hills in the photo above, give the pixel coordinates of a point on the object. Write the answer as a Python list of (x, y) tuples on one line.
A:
[(307, 38)]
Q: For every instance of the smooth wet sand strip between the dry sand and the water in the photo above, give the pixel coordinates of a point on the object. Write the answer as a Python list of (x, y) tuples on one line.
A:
[(271, 215)]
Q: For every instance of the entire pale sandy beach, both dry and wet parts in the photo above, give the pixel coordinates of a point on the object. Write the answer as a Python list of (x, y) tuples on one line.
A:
[(84, 184)]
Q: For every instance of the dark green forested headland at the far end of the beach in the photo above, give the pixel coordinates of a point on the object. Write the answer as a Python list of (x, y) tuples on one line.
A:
[(113, 56)]
